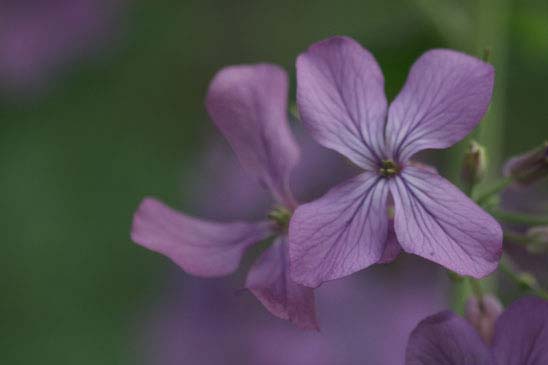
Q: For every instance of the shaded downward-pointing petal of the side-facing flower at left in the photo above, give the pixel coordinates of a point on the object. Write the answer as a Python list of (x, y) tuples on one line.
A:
[(268, 279)]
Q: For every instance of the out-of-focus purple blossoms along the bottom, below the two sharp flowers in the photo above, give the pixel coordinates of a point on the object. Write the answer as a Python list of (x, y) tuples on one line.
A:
[(366, 318)]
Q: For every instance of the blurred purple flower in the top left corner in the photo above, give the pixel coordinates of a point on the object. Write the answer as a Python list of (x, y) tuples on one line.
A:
[(36, 37)]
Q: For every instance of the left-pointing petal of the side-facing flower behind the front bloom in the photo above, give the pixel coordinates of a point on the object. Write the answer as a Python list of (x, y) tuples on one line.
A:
[(199, 247)]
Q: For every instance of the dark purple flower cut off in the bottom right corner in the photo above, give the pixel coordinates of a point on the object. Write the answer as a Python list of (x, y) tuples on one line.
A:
[(521, 338)]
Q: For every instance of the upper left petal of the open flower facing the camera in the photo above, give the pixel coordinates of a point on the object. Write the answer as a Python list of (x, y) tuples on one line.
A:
[(340, 94)]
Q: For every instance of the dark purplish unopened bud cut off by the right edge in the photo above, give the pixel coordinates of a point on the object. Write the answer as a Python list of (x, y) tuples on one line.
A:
[(529, 167)]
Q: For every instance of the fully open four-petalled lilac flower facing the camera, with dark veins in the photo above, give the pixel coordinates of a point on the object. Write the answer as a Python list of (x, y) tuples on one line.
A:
[(340, 94)]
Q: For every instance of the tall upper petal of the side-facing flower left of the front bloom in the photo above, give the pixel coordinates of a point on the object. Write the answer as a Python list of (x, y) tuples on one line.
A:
[(249, 105)]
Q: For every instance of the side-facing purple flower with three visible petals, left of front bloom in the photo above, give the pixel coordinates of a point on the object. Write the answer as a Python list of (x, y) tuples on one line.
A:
[(249, 105)]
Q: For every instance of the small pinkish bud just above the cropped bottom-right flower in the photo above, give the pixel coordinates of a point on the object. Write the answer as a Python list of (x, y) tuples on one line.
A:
[(482, 314)]
